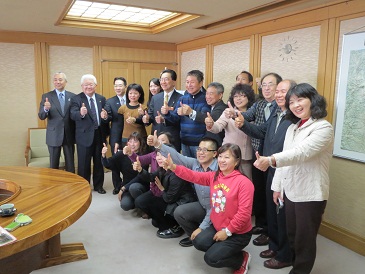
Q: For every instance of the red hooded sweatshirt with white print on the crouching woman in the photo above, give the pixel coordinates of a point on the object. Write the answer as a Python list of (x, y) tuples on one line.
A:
[(231, 197)]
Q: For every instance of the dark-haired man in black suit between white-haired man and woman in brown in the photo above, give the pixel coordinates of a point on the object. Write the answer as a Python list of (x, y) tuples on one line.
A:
[(116, 124)]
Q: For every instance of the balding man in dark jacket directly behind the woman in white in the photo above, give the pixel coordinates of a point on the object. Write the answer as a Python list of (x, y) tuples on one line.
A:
[(273, 132)]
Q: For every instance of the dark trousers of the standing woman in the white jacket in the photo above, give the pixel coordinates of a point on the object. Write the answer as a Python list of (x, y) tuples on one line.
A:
[(303, 220)]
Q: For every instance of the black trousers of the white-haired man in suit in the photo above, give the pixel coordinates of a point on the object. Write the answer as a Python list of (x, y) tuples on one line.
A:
[(85, 154)]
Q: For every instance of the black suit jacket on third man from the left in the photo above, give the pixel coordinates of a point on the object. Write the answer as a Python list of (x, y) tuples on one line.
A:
[(116, 120)]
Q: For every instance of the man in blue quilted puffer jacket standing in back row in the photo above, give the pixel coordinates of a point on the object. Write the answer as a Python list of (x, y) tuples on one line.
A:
[(192, 102)]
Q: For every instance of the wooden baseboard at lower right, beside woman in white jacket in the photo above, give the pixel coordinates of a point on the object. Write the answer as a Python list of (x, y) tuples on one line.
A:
[(343, 237)]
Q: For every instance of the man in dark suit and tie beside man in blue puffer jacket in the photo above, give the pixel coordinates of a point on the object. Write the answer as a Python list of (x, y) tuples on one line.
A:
[(168, 98)]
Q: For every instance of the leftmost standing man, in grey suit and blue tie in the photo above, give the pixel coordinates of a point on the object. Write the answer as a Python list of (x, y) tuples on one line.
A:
[(55, 107)]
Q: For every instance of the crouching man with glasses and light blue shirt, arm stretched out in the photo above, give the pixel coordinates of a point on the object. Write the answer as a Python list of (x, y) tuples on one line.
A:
[(192, 217)]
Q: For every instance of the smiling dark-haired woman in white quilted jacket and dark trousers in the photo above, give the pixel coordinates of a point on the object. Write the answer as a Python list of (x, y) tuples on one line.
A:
[(301, 179)]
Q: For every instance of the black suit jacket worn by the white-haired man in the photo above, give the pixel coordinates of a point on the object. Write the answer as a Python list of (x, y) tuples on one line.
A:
[(84, 133)]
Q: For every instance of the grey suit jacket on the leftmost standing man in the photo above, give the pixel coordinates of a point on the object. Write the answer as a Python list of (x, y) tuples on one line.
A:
[(60, 127)]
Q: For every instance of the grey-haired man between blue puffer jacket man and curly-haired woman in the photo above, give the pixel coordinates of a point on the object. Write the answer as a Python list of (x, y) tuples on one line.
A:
[(213, 95)]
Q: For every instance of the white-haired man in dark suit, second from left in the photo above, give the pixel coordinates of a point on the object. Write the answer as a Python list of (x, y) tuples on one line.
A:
[(90, 133)]
